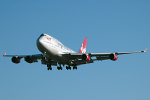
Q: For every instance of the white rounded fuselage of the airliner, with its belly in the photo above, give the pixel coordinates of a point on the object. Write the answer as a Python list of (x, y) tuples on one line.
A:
[(52, 48)]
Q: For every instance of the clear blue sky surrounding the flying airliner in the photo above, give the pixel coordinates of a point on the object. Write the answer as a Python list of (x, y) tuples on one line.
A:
[(111, 26)]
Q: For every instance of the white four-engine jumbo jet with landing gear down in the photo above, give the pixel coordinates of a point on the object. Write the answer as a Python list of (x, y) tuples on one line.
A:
[(54, 53)]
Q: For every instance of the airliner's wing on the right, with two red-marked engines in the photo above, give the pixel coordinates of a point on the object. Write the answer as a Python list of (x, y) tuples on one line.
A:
[(82, 58)]
